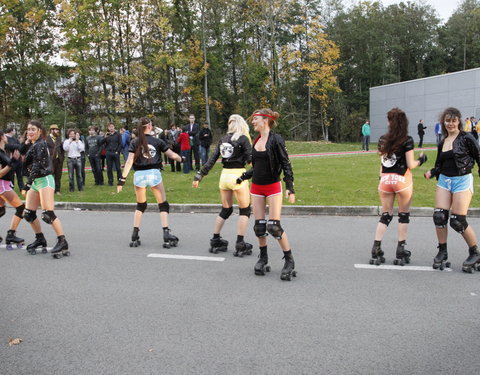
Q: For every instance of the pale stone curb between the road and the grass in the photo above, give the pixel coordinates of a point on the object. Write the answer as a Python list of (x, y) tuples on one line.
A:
[(286, 210)]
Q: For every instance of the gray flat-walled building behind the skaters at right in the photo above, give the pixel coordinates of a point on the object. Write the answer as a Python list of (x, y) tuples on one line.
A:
[(424, 99)]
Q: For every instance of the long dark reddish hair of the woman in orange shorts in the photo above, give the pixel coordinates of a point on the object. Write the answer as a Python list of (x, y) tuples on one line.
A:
[(392, 141)]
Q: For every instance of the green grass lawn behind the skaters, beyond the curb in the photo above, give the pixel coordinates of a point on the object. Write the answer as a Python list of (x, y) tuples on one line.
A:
[(346, 180)]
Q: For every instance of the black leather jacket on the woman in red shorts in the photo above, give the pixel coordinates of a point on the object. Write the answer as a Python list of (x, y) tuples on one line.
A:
[(278, 155)]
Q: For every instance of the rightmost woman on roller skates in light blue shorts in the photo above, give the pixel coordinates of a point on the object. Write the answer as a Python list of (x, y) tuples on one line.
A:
[(457, 154)]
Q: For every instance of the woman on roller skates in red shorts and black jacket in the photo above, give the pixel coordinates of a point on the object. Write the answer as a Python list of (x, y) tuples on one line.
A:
[(269, 160)]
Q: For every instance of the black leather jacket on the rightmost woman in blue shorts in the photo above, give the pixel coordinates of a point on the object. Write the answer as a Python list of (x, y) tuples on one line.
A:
[(465, 153)]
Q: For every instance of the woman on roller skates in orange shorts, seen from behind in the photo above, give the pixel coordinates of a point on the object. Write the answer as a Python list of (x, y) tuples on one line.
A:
[(397, 159)]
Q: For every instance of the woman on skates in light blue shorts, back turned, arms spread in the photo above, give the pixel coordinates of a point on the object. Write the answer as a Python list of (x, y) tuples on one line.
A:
[(145, 157)]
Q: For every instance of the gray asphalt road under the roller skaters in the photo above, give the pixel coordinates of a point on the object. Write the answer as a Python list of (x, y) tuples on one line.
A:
[(111, 309)]
